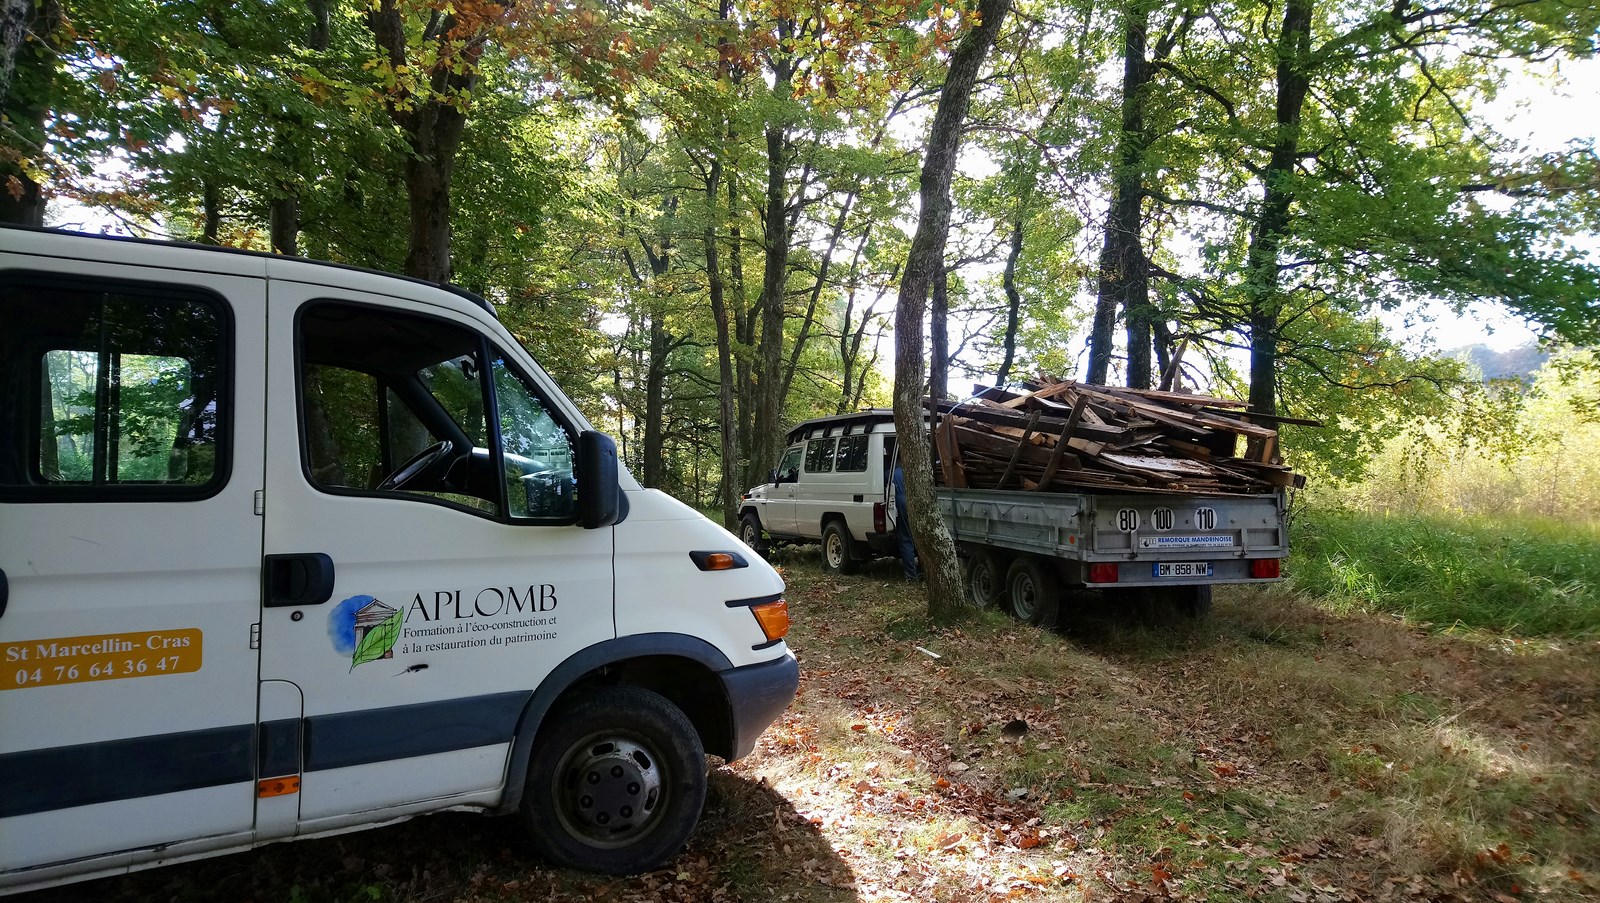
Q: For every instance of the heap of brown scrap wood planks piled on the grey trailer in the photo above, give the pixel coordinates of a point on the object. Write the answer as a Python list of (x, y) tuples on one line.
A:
[(1071, 438)]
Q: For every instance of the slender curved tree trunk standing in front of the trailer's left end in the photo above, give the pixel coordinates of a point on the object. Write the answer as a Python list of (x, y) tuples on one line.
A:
[(946, 598)]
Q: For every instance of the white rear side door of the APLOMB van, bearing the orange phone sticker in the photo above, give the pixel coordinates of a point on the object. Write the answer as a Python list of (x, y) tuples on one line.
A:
[(130, 550)]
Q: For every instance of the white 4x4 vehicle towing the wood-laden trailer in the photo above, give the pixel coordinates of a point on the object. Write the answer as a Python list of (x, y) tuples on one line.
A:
[(833, 488)]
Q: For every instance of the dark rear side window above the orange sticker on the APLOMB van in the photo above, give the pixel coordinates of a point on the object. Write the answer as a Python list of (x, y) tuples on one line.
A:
[(122, 388)]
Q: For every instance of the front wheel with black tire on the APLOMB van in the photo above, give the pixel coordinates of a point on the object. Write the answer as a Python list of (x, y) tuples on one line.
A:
[(641, 757)]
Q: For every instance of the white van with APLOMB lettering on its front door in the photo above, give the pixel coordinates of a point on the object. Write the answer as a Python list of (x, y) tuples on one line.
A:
[(290, 548)]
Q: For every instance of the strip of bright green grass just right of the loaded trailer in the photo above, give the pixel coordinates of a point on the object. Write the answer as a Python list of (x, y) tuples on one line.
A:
[(1514, 576)]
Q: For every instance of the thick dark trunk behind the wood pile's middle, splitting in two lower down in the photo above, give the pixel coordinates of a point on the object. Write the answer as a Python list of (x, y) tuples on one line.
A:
[(1124, 276)]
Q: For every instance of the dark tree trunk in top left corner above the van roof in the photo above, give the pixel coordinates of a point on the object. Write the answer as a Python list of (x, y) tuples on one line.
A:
[(28, 86)]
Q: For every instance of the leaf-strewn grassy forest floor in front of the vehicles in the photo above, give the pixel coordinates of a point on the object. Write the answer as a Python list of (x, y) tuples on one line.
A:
[(1278, 752)]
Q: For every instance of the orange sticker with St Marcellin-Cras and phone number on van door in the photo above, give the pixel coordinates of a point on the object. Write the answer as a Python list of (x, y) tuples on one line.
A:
[(106, 657)]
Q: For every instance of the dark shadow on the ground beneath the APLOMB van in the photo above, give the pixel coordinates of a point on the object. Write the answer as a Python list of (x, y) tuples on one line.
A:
[(750, 846)]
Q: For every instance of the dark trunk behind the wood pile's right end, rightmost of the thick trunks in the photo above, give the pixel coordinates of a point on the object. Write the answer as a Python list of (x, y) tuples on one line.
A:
[(1278, 196)]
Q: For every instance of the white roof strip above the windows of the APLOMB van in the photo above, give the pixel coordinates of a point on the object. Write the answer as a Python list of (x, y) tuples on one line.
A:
[(190, 255)]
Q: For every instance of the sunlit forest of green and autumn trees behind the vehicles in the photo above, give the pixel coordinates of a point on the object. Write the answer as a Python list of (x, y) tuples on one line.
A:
[(698, 214)]
